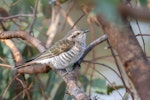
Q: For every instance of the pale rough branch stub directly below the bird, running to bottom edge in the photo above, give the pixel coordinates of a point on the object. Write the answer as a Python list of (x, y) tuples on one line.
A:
[(72, 87)]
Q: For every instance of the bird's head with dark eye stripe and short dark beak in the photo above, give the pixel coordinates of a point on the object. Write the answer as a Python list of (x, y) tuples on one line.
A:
[(76, 35)]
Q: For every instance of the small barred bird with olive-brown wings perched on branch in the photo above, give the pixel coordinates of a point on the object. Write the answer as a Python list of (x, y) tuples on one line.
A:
[(64, 52)]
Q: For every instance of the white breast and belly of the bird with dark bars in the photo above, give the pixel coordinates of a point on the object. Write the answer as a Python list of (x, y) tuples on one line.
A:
[(63, 60)]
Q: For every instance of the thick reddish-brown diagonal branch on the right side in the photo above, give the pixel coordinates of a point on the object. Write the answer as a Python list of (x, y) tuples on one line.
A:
[(133, 58)]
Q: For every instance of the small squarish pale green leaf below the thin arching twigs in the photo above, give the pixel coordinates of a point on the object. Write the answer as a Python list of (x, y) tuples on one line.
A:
[(99, 85)]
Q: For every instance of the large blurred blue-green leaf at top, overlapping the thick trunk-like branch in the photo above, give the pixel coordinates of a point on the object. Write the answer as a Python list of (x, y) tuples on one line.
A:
[(108, 8)]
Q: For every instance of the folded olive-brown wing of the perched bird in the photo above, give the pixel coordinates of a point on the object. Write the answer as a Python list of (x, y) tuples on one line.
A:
[(58, 48)]
